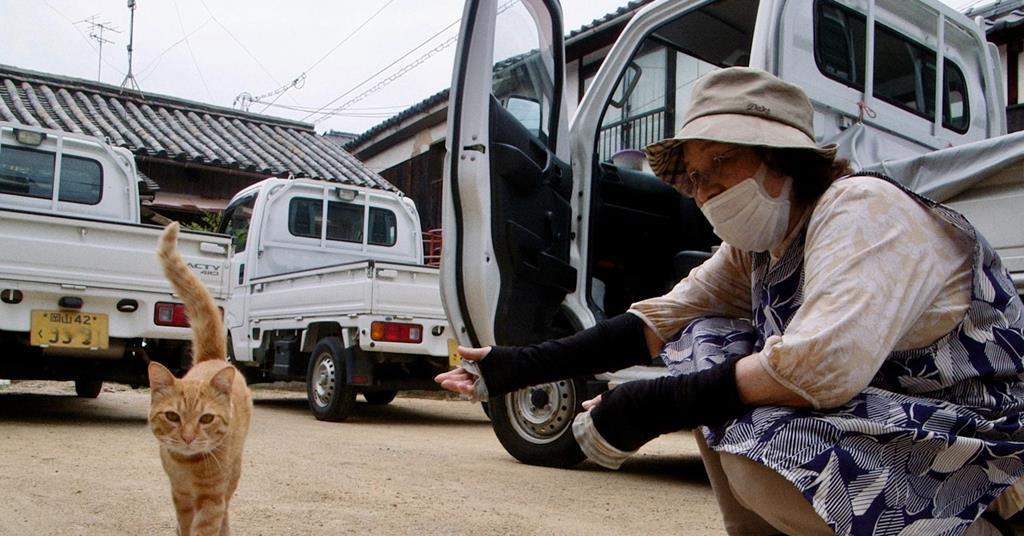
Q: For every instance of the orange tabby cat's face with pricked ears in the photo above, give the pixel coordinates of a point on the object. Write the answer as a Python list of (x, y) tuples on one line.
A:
[(190, 418)]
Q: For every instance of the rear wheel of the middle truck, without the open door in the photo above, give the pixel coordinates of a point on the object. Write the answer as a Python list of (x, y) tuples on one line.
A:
[(330, 396)]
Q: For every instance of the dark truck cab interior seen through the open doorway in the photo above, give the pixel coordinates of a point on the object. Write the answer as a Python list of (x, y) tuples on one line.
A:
[(645, 235)]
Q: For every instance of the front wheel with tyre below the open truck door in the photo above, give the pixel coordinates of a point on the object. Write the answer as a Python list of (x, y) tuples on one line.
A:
[(535, 425)]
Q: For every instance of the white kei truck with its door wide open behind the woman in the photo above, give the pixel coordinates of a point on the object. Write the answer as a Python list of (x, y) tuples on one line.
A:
[(545, 234)]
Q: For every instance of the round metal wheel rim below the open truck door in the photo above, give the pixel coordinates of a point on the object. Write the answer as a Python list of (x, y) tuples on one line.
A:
[(542, 414)]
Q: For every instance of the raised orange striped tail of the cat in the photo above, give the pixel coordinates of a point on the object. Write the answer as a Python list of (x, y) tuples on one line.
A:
[(209, 341)]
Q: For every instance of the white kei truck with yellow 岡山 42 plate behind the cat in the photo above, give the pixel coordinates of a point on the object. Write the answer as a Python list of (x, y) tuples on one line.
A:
[(82, 295)]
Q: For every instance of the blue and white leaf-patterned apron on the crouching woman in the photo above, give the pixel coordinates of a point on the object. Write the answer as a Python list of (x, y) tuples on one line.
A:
[(934, 439)]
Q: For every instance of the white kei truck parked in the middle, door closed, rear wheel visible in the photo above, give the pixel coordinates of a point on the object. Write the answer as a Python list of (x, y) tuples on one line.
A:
[(328, 286)]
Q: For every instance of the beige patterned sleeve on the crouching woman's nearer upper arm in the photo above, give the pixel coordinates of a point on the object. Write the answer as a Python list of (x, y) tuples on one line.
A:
[(881, 273)]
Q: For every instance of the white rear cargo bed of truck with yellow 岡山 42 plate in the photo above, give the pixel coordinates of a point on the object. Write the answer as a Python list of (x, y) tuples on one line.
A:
[(48, 258)]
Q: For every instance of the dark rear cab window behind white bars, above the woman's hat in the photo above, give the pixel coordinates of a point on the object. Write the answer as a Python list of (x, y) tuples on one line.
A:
[(905, 71)]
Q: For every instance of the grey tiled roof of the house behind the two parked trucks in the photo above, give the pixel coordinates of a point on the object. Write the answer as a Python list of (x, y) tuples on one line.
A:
[(177, 130)]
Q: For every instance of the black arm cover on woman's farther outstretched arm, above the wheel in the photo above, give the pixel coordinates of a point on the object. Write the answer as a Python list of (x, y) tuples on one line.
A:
[(612, 345)]
